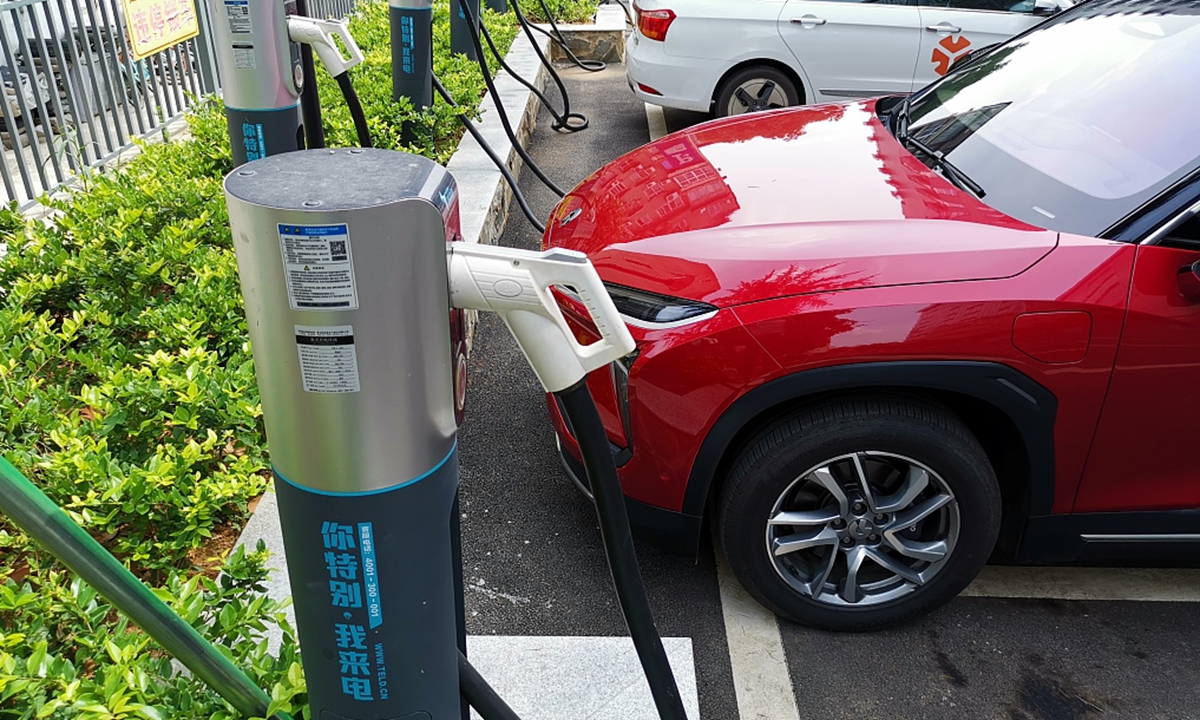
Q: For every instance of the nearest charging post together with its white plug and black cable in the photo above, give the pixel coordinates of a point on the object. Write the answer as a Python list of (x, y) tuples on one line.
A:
[(351, 275)]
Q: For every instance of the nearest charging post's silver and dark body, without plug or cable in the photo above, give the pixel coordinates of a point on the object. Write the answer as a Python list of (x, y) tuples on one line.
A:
[(343, 256)]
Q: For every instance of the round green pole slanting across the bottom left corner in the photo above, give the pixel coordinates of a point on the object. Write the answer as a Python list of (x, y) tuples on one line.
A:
[(46, 523)]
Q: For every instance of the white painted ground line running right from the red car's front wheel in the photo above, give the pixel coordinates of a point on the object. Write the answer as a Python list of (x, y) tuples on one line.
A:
[(1150, 585)]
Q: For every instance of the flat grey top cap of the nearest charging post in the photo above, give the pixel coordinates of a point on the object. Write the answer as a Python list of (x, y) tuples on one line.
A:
[(344, 179)]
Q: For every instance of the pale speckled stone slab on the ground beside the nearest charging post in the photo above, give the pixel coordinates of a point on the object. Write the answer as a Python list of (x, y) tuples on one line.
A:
[(579, 679)]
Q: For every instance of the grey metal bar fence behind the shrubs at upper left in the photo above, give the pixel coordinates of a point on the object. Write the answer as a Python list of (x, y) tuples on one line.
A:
[(74, 97)]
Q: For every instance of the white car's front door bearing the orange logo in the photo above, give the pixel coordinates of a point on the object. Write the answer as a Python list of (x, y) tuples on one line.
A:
[(952, 28)]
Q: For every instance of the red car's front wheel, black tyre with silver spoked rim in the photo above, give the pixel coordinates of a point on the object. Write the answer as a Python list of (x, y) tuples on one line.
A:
[(808, 543)]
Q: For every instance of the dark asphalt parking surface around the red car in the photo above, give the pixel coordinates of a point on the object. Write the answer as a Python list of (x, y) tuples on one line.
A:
[(535, 565)]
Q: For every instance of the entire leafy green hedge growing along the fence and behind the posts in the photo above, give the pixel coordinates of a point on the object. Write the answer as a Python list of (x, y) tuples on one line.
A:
[(128, 395)]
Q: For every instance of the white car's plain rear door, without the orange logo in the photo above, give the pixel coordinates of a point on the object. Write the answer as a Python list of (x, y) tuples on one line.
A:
[(854, 49)]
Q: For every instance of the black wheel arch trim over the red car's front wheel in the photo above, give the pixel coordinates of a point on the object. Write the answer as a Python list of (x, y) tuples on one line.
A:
[(1031, 409)]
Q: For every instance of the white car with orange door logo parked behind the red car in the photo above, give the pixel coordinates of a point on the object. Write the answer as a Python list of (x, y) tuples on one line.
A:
[(731, 57)]
